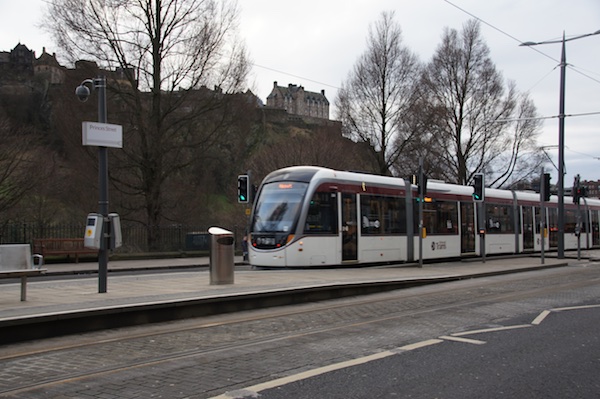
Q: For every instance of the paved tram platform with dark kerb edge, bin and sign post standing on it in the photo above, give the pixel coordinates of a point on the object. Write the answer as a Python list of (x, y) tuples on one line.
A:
[(171, 289)]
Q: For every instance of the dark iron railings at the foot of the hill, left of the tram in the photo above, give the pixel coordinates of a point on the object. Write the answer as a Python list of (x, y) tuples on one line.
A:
[(135, 237)]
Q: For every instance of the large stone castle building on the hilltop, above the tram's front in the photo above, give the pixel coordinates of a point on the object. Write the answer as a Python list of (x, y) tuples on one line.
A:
[(297, 101)]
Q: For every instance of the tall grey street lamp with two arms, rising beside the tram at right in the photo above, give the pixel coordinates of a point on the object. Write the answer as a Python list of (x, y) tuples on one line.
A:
[(561, 136)]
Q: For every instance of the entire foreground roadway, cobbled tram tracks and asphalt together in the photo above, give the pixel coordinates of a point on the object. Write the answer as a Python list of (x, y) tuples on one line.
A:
[(418, 342)]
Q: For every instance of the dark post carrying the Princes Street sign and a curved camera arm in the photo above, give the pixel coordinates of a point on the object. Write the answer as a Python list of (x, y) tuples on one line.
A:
[(83, 93)]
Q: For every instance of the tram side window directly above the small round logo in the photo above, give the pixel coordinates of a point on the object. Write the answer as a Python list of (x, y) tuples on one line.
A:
[(439, 218)]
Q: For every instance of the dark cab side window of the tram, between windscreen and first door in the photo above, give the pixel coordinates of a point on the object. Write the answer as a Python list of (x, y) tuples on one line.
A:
[(322, 214)]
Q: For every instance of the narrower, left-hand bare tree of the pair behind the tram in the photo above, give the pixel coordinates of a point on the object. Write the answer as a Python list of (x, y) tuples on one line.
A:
[(373, 102)]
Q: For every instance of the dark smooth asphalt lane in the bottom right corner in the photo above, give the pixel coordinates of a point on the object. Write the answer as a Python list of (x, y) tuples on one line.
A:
[(560, 358)]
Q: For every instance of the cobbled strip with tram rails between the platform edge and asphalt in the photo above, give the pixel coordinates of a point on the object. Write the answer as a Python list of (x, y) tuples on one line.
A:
[(265, 328)]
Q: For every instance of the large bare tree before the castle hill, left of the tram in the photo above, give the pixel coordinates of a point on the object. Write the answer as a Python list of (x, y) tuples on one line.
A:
[(167, 54)]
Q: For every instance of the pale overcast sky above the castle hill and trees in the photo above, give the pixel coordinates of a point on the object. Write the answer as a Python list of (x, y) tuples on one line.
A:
[(315, 43)]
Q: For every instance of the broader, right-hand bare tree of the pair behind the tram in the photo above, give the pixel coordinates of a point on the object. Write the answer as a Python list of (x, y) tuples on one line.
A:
[(480, 125)]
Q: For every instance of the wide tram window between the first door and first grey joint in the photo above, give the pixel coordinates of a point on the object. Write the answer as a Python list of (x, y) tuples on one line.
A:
[(382, 215)]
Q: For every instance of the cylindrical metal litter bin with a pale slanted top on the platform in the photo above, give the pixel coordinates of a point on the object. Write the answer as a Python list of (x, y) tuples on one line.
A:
[(221, 256)]
